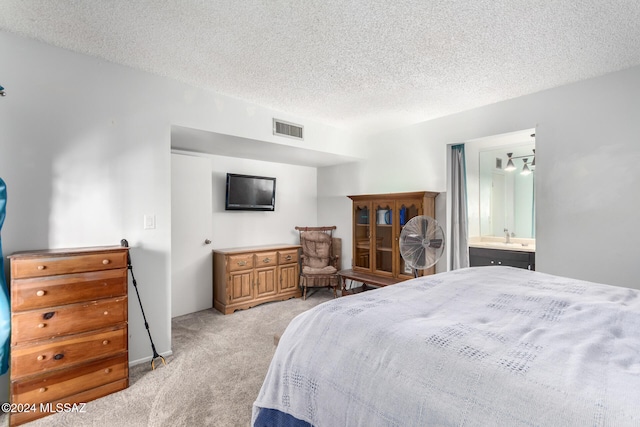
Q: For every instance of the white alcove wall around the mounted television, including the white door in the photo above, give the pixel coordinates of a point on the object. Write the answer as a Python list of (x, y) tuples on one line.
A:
[(296, 204)]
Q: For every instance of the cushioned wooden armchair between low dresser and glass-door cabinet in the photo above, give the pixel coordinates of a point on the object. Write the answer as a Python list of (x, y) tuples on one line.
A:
[(319, 262)]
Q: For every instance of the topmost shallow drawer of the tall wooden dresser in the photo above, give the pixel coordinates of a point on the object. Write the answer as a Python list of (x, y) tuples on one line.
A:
[(22, 267)]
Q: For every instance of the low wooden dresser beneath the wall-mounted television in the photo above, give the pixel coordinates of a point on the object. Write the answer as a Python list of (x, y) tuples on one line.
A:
[(246, 277)]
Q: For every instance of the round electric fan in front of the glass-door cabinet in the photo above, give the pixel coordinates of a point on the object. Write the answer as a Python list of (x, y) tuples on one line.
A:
[(421, 243)]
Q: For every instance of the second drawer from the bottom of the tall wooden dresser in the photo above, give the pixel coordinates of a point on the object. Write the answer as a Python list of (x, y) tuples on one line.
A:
[(60, 353)]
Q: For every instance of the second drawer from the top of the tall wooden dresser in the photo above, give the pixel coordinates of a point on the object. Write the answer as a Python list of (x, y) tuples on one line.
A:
[(27, 294)]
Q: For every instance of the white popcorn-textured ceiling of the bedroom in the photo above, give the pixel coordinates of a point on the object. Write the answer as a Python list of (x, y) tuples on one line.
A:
[(360, 64)]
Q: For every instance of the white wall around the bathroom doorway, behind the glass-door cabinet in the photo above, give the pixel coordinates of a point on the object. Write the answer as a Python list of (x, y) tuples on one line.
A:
[(587, 171)]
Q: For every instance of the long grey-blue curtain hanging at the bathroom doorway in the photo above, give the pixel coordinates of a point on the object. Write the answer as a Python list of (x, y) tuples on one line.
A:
[(459, 239)]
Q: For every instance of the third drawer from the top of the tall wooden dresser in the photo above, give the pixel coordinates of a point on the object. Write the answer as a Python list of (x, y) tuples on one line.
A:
[(64, 320)]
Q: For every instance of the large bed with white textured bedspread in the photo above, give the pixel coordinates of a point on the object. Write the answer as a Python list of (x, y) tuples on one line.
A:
[(474, 347)]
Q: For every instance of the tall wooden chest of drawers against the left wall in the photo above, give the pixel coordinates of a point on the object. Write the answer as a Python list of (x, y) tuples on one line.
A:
[(69, 328)]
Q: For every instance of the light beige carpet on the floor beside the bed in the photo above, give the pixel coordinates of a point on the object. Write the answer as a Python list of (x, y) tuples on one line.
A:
[(216, 371)]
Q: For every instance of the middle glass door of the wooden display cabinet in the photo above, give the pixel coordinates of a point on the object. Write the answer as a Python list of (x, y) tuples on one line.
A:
[(383, 240)]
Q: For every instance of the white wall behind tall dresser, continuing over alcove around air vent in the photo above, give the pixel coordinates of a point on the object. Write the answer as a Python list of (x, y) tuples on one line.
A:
[(85, 153)]
